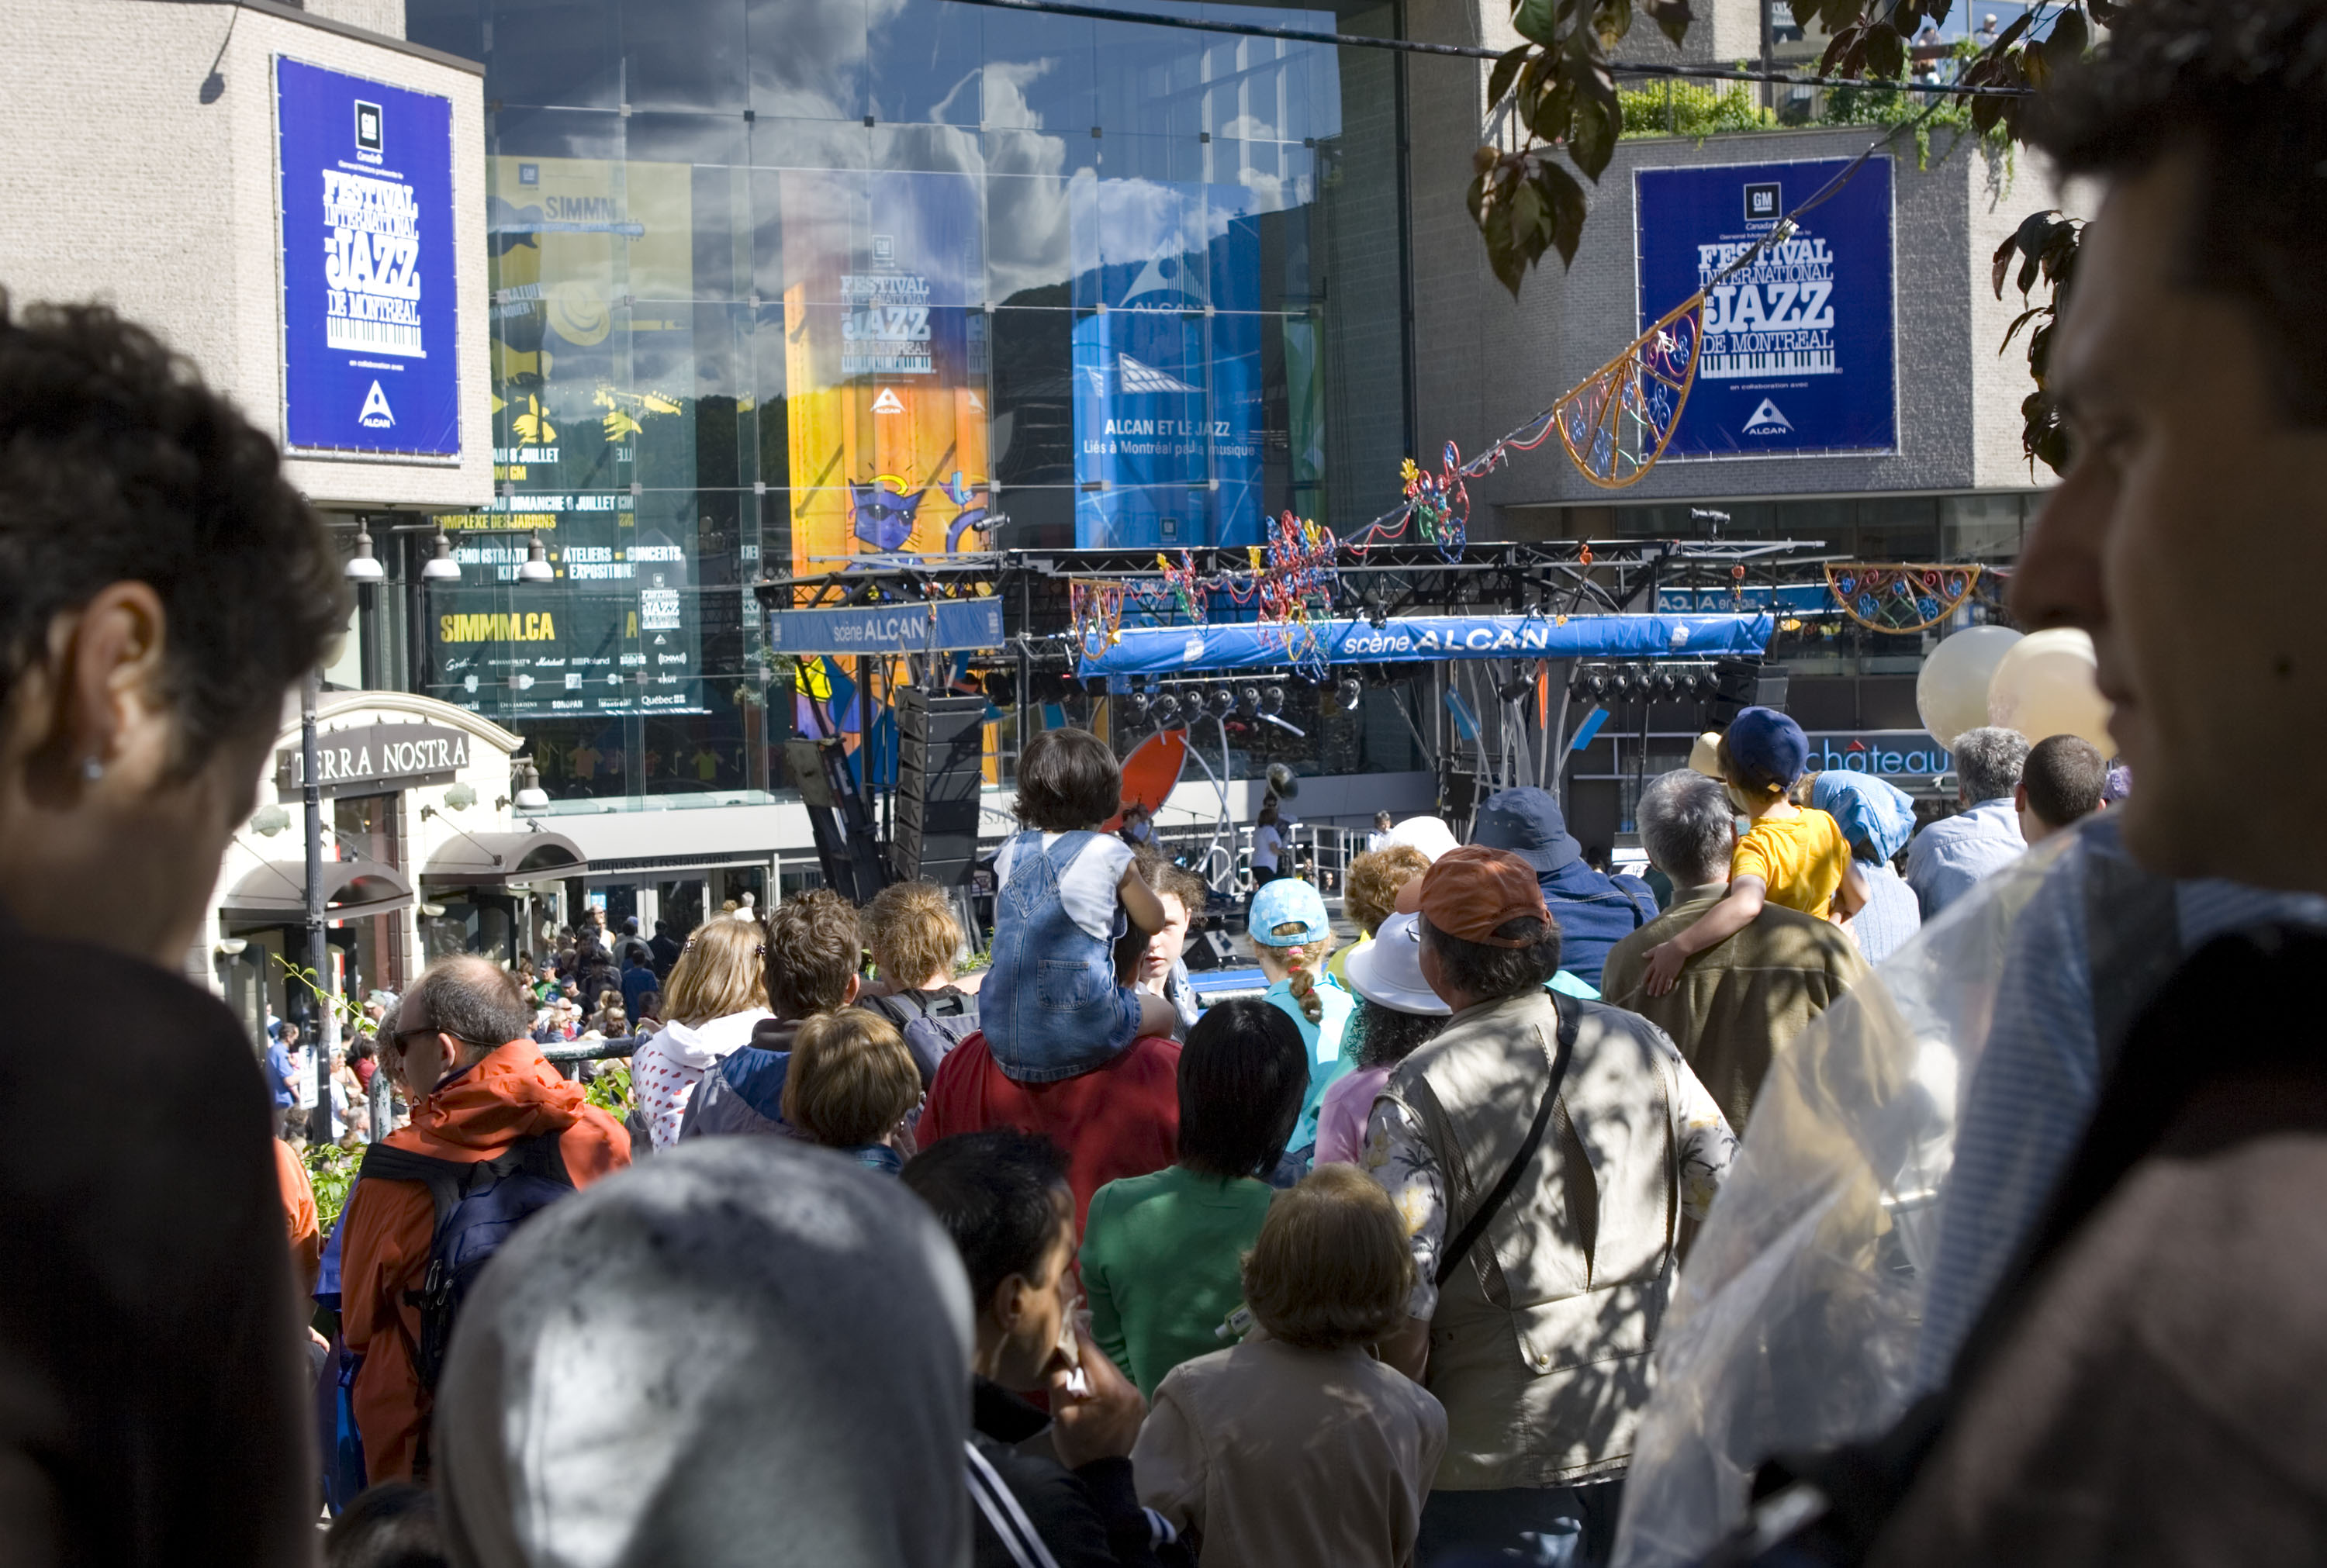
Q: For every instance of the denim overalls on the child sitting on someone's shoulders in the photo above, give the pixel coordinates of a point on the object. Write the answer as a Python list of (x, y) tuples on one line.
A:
[(1051, 1006)]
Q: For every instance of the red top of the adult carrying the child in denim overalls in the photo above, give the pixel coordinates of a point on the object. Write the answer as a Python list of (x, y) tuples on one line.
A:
[(1113, 1122)]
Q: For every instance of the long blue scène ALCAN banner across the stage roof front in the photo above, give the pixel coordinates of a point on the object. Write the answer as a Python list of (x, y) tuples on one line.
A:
[(1246, 646)]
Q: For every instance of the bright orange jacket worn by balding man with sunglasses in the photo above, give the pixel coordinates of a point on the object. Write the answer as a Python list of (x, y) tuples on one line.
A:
[(508, 1097)]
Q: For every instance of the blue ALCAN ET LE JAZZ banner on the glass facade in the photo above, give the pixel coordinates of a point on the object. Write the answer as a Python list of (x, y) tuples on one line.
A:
[(1167, 364)]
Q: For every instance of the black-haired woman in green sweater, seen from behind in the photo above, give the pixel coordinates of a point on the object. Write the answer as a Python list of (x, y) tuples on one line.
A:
[(1162, 1255)]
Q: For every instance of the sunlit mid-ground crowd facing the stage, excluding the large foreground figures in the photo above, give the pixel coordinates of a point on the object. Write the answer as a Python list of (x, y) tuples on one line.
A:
[(1246, 1264)]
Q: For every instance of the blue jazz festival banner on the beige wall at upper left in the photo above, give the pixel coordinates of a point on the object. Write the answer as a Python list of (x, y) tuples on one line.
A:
[(371, 325)]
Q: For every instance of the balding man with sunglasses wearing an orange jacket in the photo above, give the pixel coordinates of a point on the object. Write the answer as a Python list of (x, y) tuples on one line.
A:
[(462, 1036)]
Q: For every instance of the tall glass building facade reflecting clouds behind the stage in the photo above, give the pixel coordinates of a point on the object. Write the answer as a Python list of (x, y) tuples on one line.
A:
[(788, 283)]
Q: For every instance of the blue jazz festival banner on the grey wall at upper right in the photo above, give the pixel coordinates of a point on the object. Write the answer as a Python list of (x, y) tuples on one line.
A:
[(1800, 348)]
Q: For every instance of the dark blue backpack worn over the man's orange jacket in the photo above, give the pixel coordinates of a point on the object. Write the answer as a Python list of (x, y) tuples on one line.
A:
[(478, 1206)]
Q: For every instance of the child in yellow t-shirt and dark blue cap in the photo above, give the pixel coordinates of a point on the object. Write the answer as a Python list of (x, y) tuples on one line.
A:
[(1791, 857)]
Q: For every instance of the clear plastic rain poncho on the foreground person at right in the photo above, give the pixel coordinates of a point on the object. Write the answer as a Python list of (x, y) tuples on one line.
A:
[(1856, 1243)]
